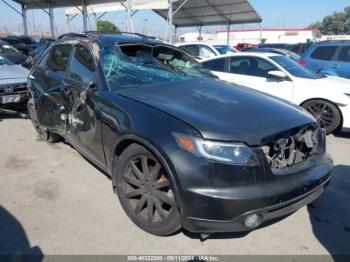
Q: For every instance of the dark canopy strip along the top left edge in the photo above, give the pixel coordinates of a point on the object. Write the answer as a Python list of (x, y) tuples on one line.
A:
[(38, 4)]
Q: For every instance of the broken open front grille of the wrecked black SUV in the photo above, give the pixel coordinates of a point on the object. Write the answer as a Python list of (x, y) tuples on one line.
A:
[(294, 147)]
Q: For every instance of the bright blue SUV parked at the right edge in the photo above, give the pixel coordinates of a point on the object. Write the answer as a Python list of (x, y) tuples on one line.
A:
[(328, 58)]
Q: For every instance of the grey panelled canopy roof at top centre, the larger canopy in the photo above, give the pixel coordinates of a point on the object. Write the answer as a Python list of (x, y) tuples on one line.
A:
[(212, 12)]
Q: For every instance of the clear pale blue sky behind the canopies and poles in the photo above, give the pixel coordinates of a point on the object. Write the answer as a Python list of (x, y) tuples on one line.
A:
[(275, 14)]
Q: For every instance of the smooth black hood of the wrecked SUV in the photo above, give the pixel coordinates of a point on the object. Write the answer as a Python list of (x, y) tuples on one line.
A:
[(221, 111)]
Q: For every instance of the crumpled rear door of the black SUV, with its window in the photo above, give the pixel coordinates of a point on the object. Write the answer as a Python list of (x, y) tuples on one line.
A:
[(48, 95)]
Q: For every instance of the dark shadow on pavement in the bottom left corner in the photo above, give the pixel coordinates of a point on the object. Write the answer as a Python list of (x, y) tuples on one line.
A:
[(14, 243)]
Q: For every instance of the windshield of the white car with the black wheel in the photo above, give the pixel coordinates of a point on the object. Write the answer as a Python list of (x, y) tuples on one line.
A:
[(294, 68)]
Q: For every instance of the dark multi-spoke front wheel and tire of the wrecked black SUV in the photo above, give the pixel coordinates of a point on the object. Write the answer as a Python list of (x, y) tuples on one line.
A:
[(146, 192)]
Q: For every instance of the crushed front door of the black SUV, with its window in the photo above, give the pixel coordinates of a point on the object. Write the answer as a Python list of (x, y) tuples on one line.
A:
[(84, 117)]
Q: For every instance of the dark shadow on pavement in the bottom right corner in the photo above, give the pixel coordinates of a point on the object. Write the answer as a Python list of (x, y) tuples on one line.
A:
[(330, 215)]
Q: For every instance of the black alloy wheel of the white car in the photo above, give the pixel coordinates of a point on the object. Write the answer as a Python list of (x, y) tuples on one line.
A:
[(326, 113)]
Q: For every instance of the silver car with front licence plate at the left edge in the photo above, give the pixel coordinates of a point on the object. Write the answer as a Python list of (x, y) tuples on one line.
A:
[(13, 83)]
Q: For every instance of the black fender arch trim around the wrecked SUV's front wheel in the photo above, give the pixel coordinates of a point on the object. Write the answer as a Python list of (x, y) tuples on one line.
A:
[(130, 139)]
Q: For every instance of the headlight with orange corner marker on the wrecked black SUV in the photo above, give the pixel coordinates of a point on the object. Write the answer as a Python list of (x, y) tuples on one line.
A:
[(231, 153)]
